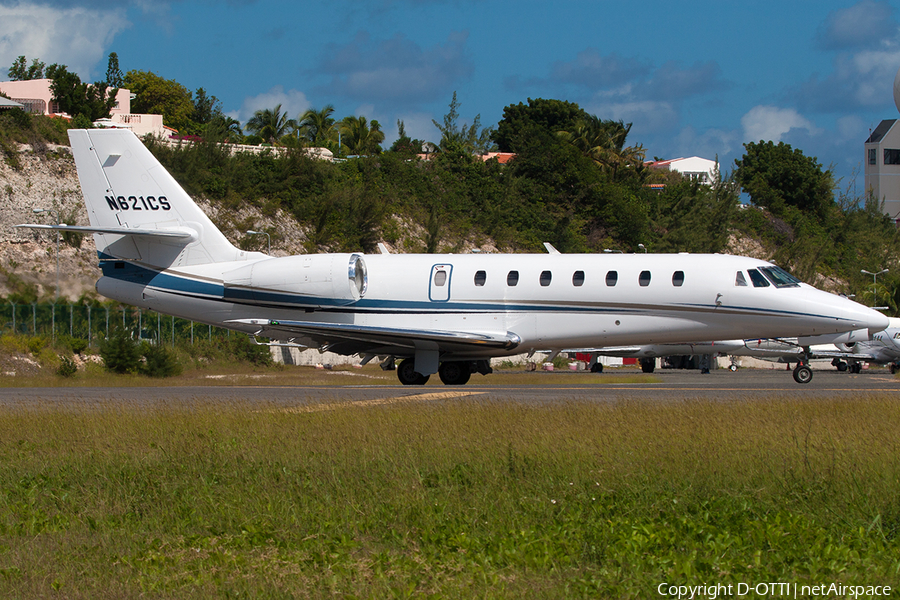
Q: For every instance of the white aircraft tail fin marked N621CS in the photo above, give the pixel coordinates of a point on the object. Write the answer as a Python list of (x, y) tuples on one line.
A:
[(136, 208)]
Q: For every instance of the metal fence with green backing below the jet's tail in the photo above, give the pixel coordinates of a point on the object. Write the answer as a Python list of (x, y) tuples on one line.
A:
[(94, 322)]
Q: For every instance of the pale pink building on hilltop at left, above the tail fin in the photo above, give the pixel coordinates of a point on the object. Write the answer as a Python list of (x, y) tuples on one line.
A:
[(37, 98)]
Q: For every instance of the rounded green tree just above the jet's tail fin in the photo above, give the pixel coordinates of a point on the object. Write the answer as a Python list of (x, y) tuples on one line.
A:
[(166, 97)]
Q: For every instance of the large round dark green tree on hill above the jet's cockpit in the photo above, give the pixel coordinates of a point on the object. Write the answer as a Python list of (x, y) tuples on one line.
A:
[(778, 177)]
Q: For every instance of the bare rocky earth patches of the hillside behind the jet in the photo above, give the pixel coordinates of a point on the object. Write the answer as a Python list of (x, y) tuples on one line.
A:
[(46, 177)]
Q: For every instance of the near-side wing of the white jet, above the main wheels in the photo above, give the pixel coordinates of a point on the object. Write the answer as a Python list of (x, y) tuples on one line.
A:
[(348, 338)]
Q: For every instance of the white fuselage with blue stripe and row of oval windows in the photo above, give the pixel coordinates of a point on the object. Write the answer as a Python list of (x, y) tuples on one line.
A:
[(557, 300)]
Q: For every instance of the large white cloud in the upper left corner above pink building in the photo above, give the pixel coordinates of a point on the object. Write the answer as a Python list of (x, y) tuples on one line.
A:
[(75, 37)]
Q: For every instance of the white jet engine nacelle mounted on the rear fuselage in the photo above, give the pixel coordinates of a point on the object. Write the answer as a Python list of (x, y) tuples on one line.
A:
[(319, 280)]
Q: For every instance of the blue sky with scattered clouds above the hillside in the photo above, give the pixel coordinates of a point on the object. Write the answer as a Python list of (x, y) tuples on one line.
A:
[(694, 77)]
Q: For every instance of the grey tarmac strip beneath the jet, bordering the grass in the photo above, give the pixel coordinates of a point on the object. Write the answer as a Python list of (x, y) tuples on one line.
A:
[(546, 387)]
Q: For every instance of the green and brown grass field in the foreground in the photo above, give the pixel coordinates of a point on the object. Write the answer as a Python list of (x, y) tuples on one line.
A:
[(454, 499)]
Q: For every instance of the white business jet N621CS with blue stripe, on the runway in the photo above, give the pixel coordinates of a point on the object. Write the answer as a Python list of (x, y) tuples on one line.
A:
[(445, 314)]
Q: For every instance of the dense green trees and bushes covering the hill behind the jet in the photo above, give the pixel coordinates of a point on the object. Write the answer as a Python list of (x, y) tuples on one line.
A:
[(576, 181)]
